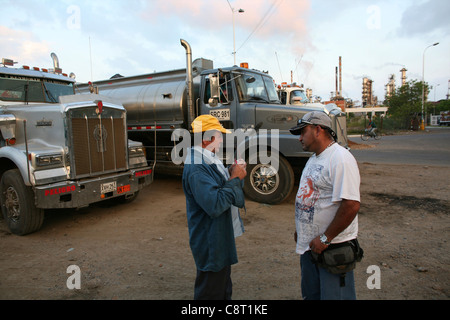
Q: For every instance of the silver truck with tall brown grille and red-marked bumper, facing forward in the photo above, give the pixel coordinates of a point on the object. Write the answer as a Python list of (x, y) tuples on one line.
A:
[(61, 150)]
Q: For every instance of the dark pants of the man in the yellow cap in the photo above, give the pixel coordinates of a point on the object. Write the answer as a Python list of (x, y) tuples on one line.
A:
[(213, 285)]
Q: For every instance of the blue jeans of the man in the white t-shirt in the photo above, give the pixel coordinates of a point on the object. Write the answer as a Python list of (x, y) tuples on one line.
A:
[(318, 284)]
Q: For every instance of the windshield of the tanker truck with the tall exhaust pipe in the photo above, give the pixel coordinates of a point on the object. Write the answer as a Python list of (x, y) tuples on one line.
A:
[(255, 87)]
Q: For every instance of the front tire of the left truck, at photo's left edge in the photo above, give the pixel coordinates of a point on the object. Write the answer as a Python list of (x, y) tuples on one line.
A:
[(18, 208)]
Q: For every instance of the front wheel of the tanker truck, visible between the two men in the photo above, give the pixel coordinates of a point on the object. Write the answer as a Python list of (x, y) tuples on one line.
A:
[(264, 184)]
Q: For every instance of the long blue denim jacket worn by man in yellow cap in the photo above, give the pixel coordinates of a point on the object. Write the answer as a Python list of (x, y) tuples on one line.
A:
[(209, 197)]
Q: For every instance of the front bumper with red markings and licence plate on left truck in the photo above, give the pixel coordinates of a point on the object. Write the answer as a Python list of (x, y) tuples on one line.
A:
[(77, 194)]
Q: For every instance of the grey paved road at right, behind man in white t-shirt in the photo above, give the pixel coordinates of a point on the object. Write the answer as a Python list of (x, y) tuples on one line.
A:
[(430, 147)]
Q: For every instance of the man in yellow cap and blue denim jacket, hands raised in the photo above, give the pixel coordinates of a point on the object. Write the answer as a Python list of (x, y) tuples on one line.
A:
[(213, 196)]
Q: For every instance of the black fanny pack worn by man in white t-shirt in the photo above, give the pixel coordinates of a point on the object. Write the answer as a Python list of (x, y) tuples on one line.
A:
[(339, 258)]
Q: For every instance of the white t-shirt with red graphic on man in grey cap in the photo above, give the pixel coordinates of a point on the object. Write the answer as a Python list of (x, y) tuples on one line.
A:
[(326, 180)]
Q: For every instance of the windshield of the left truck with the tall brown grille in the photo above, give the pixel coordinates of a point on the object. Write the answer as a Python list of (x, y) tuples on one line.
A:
[(33, 89)]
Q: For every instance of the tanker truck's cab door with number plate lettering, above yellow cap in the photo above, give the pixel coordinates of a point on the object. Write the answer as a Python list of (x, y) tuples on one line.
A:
[(219, 102)]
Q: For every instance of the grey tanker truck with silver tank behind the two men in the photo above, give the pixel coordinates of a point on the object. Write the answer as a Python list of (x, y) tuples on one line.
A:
[(161, 103)]
